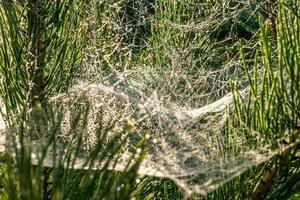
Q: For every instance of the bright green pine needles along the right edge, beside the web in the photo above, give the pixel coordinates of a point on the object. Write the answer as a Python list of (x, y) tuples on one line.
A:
[(271, 111)]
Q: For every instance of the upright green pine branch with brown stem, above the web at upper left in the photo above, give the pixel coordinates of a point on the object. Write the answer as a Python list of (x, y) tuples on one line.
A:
[(41, 48)]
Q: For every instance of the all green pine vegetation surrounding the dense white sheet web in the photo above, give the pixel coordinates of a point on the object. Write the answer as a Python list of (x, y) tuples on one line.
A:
[(211, 47)]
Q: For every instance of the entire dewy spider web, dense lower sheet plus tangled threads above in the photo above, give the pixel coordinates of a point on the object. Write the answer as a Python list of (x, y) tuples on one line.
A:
[(154, 70)]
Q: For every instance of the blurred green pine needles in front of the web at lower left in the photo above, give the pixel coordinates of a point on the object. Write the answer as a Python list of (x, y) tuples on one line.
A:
[(30, 178)]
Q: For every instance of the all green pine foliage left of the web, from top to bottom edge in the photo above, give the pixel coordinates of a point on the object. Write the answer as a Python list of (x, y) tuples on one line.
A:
[(41, 51)]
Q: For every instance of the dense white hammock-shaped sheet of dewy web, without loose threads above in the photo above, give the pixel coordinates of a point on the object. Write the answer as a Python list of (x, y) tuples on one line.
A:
[(185, 144)]
